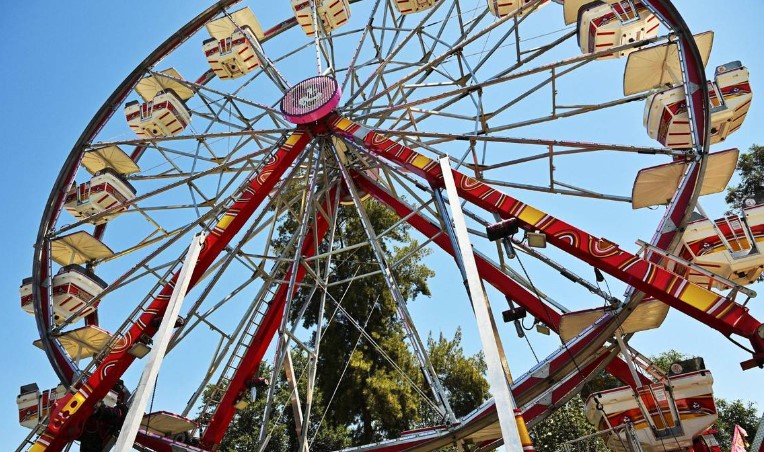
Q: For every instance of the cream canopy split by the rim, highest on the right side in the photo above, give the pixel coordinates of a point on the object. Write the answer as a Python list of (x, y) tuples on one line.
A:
[(659, 65)]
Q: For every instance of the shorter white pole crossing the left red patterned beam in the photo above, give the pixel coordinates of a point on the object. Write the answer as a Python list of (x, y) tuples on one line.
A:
[(145, 388)]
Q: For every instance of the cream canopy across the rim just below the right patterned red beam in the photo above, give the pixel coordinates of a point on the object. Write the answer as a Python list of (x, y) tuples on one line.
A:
[(648, 315)]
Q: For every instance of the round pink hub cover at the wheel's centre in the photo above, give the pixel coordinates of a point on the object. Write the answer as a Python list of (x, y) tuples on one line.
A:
[(311, 99)]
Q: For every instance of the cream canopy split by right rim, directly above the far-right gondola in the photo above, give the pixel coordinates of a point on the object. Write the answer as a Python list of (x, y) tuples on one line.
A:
[(656, 185)]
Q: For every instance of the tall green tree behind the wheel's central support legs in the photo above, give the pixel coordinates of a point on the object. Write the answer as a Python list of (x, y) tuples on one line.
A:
[(370, 393)]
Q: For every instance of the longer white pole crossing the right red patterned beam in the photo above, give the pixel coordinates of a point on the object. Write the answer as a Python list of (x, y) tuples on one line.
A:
[(505, 403)]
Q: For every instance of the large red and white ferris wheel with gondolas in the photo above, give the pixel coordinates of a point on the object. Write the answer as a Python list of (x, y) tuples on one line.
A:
[(210, 229)]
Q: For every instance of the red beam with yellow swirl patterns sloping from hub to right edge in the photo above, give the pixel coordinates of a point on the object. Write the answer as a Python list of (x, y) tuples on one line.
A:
[(714, 310)]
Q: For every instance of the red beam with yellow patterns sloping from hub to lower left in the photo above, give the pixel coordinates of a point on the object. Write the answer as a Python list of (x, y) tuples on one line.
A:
[(71, 411)]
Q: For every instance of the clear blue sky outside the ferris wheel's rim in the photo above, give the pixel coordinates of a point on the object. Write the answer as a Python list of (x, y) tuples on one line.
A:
[(63, 59)]
